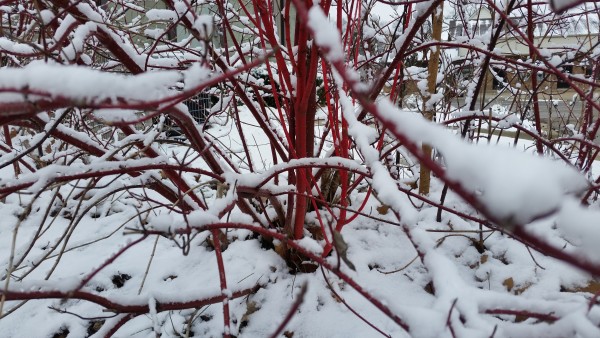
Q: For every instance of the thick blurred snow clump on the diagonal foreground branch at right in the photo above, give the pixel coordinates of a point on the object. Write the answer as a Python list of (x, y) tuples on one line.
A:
[(533, 186)]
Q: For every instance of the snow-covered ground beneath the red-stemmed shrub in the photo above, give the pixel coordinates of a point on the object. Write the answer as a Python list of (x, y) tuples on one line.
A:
[(466, 285)]
